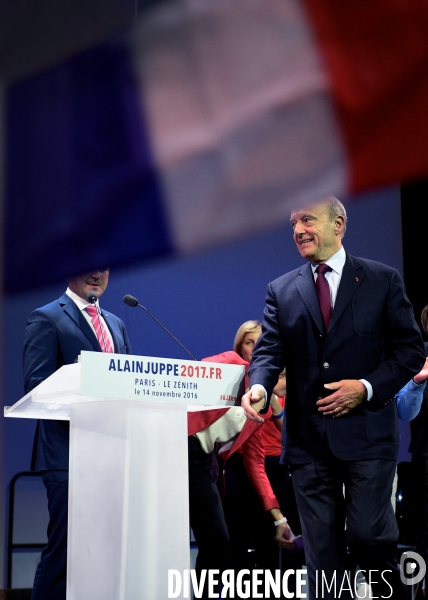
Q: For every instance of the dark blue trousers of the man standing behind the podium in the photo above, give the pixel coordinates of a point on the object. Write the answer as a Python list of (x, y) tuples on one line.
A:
[(51, 576)]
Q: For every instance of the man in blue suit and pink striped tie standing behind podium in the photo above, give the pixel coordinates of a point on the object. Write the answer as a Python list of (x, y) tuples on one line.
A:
[(55, 336)]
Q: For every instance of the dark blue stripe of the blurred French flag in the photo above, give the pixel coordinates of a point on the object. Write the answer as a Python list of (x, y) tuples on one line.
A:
[(82, 187)]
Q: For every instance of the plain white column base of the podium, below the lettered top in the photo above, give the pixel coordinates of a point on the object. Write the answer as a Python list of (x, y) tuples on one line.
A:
[(128, 515)]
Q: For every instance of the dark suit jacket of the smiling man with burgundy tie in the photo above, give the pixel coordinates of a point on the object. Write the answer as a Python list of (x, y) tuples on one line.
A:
[(373, 335)]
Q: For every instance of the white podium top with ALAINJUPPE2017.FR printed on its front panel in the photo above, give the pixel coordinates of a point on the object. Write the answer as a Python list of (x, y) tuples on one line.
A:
[(99, 376)]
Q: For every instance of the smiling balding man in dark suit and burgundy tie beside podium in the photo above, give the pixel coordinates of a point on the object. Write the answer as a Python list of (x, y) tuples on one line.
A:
[(349, 342)]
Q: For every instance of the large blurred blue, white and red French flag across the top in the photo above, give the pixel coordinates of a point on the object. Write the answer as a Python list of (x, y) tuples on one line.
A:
[(206, 123)]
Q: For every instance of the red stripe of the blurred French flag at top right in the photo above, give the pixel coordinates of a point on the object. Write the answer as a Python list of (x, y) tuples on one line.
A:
[(376, 53)]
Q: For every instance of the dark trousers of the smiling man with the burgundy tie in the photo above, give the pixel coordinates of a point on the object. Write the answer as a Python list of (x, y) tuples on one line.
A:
[(332, 495)]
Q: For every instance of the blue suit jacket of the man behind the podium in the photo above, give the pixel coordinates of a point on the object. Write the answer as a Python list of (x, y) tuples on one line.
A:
[(55, 336)]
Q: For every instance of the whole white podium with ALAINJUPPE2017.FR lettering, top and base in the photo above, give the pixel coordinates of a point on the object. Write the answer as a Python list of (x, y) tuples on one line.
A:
[(128, 493)]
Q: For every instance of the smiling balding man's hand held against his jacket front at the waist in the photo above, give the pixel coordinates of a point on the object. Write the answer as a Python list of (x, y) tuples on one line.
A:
[(347, 395)]
